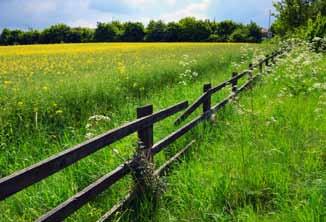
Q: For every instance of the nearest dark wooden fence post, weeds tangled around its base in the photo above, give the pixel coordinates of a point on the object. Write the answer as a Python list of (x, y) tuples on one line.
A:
[(145, 135)]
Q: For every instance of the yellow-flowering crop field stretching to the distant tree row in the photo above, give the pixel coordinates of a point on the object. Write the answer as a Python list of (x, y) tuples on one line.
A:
[(52, 80)]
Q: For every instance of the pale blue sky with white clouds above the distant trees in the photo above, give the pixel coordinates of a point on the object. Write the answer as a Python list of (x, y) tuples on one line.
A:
[(39, 14)]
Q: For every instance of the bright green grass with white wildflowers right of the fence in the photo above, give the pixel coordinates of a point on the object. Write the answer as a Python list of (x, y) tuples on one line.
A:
[(264, 157)]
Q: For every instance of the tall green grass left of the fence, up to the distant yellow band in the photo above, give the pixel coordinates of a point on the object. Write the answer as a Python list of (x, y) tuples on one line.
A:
[(48, 112)]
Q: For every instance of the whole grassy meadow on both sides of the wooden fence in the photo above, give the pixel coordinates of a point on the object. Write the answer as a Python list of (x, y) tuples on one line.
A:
[(247, 166)]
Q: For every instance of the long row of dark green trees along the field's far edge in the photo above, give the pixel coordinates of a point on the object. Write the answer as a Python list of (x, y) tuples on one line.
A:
[(188, 29)]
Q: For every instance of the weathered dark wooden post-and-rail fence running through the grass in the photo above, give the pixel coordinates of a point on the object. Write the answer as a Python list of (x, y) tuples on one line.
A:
[(143, 125)]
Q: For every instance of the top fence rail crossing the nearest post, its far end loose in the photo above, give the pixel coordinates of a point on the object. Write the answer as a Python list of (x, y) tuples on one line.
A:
[(22, 179)]
